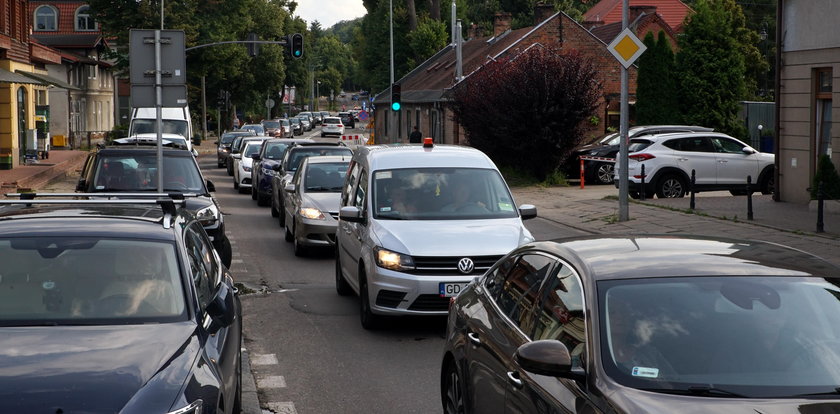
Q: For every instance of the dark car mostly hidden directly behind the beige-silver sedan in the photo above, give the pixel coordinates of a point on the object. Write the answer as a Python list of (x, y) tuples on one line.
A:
[(292, 159)]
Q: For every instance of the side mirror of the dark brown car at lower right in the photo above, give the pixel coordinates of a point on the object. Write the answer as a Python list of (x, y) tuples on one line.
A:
[(548, 357)]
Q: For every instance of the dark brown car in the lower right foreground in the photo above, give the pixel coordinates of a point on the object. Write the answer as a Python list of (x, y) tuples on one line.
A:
[(646, 324)]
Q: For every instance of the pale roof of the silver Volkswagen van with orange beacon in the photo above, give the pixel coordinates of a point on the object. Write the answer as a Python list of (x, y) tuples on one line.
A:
[(396, 156)]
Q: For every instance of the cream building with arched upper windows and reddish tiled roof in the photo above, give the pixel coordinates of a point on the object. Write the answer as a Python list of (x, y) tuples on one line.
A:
[(87, 104)]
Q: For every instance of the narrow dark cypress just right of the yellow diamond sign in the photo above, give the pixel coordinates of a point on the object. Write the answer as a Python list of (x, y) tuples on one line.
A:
[(656, 92)]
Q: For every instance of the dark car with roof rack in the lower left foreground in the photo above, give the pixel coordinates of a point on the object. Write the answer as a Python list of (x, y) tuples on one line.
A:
[(115, 307)]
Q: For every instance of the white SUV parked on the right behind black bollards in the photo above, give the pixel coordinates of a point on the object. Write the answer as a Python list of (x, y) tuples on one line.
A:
[(720, 162)]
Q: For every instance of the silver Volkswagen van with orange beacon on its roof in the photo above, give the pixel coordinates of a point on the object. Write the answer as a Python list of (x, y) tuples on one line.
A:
[(418, 223)]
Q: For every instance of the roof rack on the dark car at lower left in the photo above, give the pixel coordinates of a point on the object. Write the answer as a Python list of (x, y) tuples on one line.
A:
[(166, 201)]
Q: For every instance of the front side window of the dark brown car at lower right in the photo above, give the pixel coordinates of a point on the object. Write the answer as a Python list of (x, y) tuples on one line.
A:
[(560, 312)]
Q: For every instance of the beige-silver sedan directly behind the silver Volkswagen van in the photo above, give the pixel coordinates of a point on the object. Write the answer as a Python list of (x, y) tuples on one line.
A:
[(312, 199)]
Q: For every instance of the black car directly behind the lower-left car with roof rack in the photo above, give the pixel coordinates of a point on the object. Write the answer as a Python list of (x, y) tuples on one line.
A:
[(132, 169)]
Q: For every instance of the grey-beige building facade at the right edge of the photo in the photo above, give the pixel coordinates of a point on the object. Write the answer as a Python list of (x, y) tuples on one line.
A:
[(808, 98)]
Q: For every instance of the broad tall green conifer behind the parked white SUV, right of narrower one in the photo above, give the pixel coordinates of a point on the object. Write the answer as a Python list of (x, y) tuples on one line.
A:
[(710, 67)]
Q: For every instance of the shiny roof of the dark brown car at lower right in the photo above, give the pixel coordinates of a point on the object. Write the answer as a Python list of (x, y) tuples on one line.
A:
[(653, 256)]
